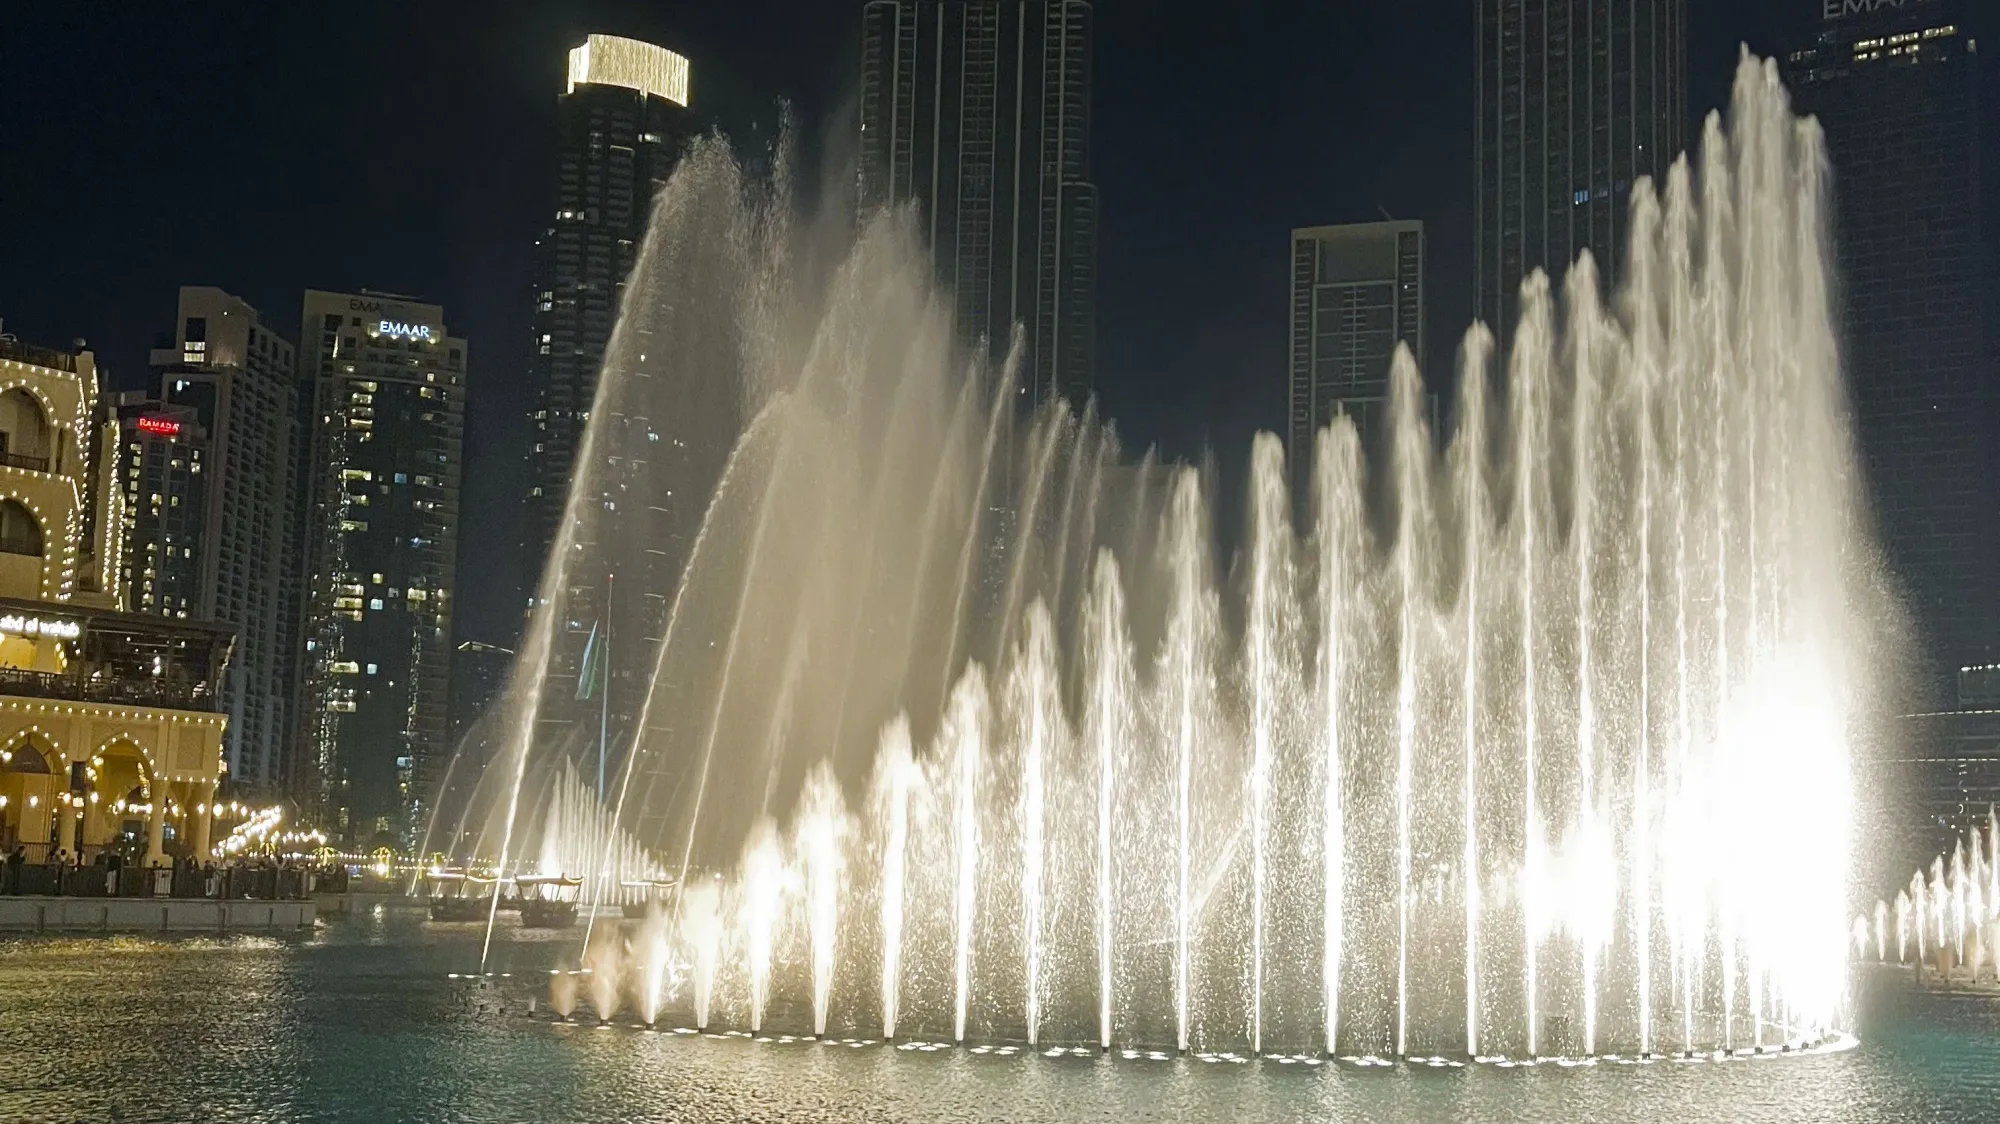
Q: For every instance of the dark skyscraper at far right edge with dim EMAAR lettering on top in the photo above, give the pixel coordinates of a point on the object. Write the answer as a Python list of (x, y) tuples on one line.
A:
[(1895, 89)]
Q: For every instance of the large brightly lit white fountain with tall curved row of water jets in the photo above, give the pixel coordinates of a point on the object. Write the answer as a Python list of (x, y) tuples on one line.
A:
[(963, 729)]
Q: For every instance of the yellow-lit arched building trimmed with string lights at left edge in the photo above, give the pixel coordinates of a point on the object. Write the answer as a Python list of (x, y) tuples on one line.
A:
[(111, 731)]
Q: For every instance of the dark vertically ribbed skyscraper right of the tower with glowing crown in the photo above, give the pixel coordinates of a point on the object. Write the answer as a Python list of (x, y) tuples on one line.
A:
[(979, 113)]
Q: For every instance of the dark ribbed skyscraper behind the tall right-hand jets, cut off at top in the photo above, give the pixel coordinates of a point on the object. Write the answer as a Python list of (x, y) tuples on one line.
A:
[(1575, 103)]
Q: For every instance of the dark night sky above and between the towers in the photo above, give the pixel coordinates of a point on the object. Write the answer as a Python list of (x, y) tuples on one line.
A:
[(271, 147)]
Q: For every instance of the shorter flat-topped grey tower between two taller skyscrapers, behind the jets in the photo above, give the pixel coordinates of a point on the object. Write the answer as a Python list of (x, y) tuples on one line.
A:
[(1357, 293)]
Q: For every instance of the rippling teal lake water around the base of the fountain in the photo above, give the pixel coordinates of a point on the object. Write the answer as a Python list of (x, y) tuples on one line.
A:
[(359, 1023)]
